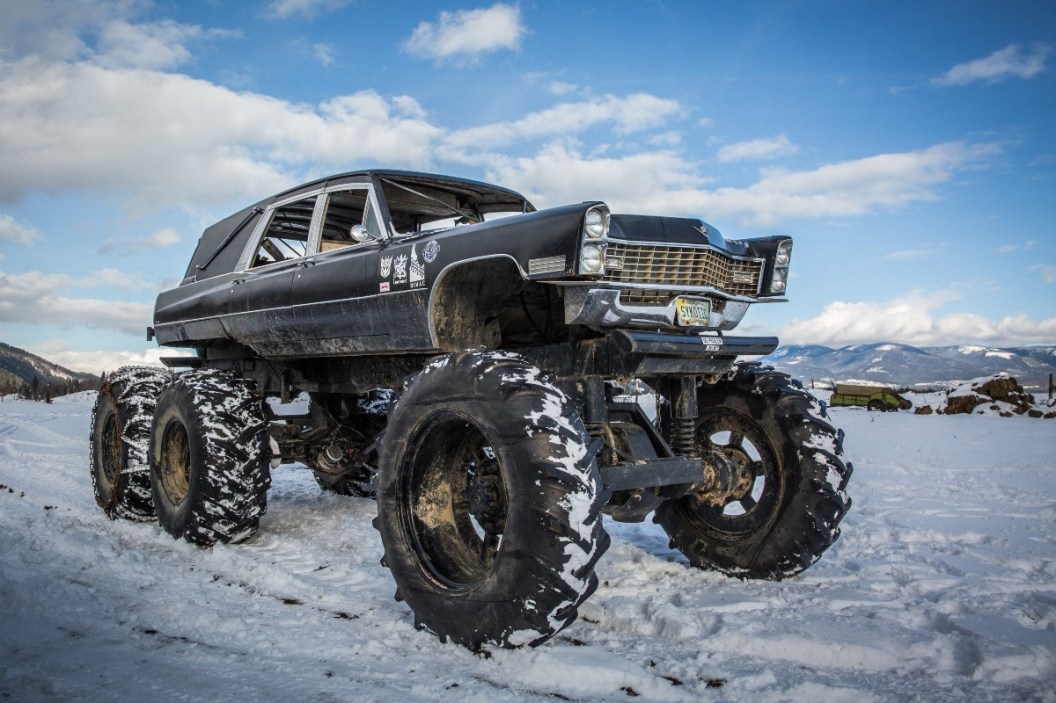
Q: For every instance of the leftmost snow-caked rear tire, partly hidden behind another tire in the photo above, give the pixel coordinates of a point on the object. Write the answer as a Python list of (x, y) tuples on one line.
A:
[(121, 433)]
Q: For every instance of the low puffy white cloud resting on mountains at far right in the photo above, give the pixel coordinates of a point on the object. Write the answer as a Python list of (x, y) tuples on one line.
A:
[(914, 319)]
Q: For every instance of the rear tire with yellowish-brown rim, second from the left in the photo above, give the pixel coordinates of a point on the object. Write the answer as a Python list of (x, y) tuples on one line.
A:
[(210, 459)]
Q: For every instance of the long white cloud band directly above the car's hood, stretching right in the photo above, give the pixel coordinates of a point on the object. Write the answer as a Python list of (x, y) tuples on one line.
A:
[(664, 182)]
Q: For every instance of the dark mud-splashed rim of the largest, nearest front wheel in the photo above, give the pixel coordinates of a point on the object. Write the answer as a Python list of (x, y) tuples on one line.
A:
[(454, 502)]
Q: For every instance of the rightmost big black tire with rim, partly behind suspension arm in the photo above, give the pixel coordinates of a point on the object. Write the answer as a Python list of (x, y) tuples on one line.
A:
[(790, 512)]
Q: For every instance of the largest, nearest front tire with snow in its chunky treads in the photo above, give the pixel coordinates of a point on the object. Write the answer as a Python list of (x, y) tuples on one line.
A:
[(489, 502)]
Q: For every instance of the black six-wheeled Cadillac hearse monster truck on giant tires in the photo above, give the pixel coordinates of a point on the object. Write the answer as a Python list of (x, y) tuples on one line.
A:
[(500, 377)]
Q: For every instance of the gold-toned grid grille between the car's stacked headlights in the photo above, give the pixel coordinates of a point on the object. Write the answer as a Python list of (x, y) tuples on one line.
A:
[(682, 268)]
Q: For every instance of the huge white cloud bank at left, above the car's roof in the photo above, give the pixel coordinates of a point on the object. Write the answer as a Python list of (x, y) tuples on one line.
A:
[(76, 126)]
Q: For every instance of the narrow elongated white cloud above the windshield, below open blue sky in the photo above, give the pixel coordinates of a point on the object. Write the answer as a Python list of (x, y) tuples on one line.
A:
[(628, 113)]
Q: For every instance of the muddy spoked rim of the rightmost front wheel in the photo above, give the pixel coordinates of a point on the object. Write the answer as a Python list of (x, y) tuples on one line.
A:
[(758, 495)]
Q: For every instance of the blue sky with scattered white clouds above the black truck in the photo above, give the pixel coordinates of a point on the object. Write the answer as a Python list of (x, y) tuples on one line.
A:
[(909, 147)]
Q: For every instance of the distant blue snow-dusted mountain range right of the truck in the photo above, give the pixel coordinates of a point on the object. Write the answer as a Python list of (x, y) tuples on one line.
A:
[(902, 365)]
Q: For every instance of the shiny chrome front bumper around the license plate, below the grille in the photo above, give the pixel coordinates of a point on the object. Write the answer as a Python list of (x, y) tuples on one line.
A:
[(601, 308)]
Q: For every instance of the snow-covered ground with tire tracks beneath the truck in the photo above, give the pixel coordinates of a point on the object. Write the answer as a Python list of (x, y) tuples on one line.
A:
[(942, 588)]
